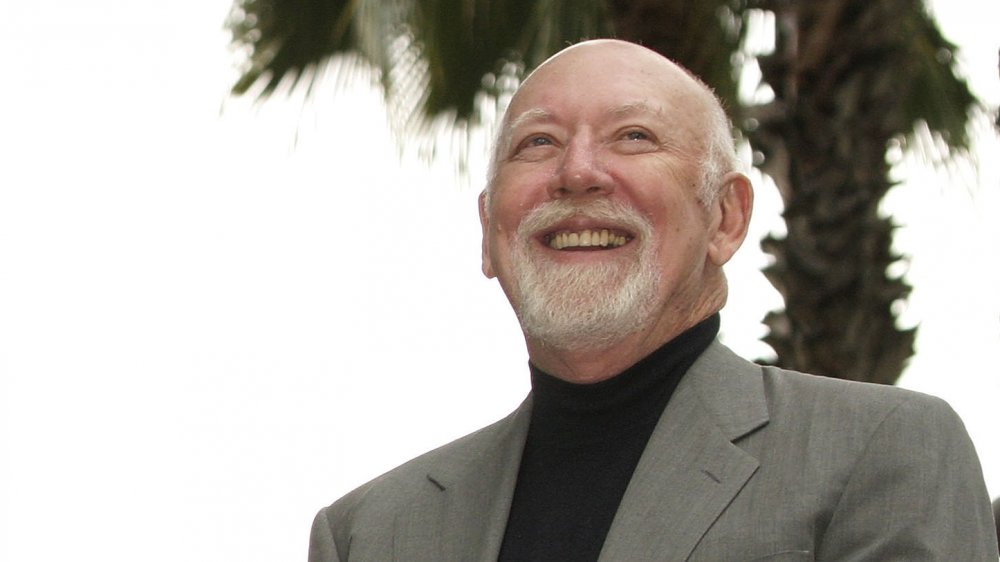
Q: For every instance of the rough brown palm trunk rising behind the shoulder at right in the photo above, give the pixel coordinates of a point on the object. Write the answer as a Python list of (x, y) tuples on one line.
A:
[(835, 76)]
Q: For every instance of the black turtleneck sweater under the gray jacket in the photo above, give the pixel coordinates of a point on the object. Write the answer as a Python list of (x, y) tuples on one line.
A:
[(584, 441)]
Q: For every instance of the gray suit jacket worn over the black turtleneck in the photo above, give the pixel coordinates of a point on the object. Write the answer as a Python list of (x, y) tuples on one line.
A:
[(746, 463)]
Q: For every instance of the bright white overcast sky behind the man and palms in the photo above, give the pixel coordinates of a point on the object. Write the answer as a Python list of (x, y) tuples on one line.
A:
[(208, 329)]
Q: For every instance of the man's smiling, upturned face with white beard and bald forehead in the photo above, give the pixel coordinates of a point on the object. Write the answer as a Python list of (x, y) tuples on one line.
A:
[(593, 222)]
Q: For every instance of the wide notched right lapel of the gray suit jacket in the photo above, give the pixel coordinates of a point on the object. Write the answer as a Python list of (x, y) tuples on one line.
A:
[(690, 470)]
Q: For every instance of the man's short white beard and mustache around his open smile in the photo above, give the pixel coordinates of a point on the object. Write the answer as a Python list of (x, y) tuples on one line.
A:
[(577, 306)]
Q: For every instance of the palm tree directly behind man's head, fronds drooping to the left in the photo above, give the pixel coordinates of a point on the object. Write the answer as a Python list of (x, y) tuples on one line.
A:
[(456, 43)]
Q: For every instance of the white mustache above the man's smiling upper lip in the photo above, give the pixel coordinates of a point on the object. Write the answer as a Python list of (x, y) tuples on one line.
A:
[(550, 213)]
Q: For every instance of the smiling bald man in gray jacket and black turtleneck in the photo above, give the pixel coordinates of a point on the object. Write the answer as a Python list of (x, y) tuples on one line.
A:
[(614, 199)]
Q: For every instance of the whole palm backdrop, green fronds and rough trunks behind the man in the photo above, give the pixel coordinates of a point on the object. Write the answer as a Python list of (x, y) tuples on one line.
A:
[(849, 77)]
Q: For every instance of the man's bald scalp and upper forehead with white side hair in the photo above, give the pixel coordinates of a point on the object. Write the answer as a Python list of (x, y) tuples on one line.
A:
[(682, 99)]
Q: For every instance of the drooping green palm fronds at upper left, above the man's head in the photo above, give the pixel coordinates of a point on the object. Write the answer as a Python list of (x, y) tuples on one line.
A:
[(441, 49)]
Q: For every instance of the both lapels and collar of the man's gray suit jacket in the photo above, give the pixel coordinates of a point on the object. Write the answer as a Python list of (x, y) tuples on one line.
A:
[(688, 474)]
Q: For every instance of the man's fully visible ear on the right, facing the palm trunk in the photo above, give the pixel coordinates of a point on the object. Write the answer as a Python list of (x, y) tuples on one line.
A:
[(730, 218)]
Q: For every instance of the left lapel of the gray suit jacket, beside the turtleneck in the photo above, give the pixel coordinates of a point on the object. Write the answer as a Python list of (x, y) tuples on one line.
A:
[(463, 510)]
